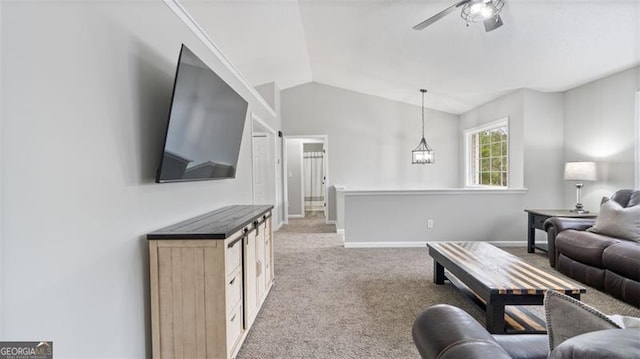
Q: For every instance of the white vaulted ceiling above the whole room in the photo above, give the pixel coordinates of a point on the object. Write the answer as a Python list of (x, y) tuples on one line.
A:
[(369, 46)]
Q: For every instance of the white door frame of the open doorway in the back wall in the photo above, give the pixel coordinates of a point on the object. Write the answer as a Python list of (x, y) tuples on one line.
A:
[(324, 139)]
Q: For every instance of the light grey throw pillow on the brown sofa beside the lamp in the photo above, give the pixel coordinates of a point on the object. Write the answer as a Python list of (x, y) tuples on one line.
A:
[(617, 221)]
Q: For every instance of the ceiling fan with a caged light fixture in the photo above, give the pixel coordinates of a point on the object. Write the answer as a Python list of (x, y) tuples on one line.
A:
[(486, 11)]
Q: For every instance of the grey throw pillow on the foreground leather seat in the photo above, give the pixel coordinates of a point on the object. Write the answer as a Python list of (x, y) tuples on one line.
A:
[(568, 317)]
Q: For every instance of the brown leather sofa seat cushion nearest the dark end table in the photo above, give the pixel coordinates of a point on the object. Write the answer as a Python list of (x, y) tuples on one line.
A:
[(585, 247)]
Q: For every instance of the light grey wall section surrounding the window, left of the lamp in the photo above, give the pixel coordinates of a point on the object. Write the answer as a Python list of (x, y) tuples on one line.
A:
[(535, 142)]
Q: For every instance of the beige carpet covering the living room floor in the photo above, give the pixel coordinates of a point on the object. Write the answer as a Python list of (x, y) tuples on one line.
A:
[(332, 302)]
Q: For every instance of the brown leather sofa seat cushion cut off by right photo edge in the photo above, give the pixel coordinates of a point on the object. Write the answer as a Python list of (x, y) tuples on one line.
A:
[(623, 258)]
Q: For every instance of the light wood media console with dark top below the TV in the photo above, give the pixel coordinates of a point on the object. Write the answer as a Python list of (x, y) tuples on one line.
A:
[(209, 277)]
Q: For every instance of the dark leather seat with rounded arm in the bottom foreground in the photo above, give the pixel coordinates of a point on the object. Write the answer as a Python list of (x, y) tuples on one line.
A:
[(447, 332)]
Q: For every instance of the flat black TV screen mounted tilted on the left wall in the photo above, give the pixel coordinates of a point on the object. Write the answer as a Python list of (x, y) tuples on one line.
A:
[(205, 125)]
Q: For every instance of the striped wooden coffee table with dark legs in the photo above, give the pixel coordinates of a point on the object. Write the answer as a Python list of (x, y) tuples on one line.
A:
[(496, 278)]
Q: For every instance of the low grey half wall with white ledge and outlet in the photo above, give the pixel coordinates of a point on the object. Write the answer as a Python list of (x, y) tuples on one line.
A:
[(399, 218)]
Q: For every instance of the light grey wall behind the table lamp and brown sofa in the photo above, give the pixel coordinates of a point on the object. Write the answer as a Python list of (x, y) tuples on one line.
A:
[(600, 127)]
